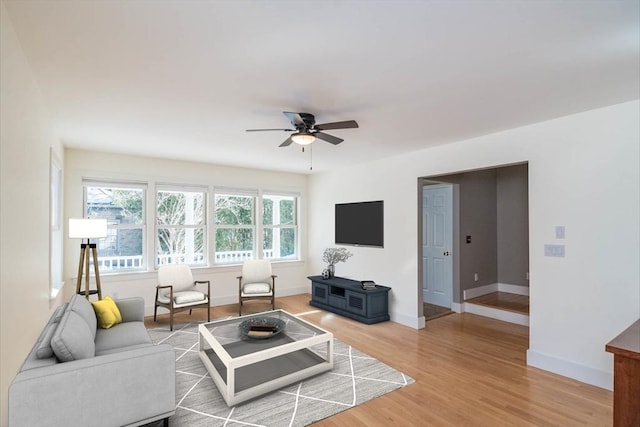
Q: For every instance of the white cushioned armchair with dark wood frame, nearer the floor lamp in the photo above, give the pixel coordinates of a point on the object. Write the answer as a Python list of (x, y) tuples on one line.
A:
[(177, 291)]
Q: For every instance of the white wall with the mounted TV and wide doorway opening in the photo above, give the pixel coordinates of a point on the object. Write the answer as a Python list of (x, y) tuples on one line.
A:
[(583, 174)]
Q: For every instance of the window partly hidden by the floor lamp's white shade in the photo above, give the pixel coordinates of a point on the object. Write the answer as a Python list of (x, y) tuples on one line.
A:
[(123, 206)]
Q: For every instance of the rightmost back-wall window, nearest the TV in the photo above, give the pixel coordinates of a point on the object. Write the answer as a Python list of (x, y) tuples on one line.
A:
[(279, 219)]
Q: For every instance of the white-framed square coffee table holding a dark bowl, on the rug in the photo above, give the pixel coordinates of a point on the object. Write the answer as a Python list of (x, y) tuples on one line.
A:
[(244, 368)]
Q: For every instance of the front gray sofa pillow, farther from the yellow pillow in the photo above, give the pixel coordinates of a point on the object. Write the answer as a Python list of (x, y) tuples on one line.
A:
[(72, 339)]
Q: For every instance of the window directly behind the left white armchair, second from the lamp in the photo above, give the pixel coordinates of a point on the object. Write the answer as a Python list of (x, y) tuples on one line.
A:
[(181, 231)]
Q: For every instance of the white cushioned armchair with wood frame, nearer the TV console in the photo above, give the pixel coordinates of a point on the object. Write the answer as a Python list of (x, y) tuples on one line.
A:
[(257, 282)]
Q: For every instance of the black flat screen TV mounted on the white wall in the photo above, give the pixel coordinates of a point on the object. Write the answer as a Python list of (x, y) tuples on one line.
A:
[(360, 224)]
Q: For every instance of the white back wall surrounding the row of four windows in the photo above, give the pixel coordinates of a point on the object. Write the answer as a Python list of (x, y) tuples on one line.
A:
[(80, 164)]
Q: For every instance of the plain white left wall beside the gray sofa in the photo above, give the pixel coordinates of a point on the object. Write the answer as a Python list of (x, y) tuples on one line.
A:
[(26, 136)]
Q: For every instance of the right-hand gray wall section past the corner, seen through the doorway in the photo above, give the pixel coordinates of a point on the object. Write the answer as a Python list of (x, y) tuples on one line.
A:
[(513, 224)]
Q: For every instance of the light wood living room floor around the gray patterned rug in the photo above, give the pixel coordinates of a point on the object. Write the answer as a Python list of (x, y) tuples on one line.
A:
[(469, 371)]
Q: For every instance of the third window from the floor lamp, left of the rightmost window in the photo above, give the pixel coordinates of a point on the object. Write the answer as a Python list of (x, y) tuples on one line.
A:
[(234, 224)]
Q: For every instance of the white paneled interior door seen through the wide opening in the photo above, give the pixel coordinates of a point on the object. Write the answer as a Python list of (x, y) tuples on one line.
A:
[(437, 236)]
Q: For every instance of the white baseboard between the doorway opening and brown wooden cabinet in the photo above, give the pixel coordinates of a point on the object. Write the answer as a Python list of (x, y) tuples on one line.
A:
[(566, 368)]
